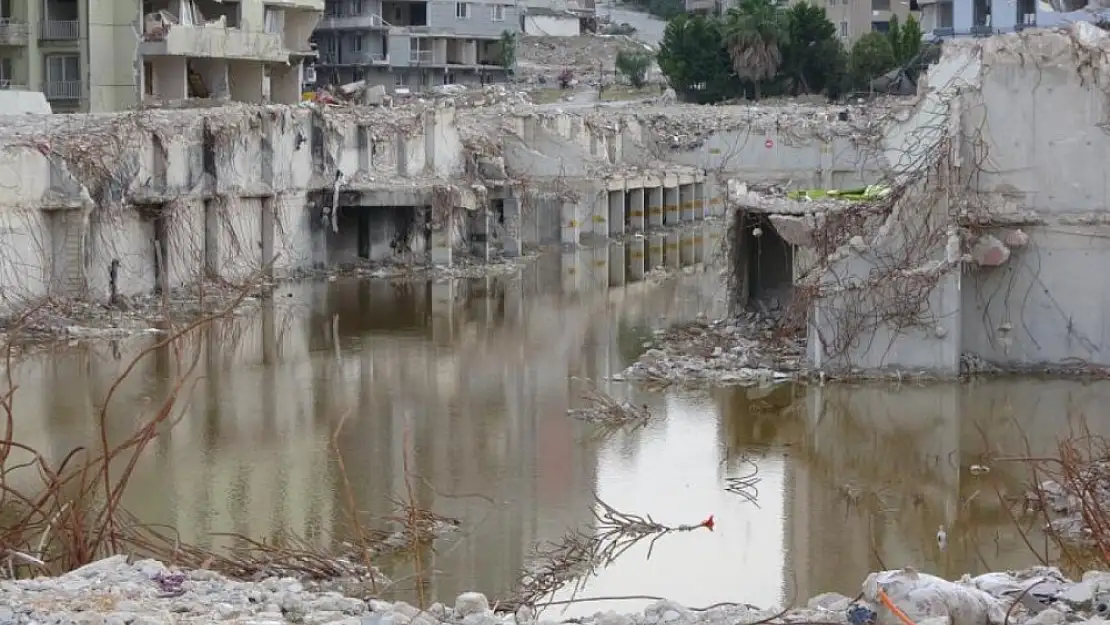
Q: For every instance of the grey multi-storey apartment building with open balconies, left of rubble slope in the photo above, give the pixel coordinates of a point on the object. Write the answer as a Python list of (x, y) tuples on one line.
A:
[(415, 44)]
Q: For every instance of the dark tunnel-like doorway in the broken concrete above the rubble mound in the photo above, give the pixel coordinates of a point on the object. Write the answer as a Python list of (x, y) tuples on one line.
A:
[(764, 265)]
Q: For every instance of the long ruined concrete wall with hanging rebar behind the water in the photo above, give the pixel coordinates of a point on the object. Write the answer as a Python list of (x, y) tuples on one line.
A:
[(133, 204)]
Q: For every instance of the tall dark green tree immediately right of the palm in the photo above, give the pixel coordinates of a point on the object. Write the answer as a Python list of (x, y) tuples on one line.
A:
[(813, 57)]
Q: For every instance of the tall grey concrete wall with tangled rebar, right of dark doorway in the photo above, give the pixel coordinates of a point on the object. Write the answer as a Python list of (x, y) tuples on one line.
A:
[(1017, 142)]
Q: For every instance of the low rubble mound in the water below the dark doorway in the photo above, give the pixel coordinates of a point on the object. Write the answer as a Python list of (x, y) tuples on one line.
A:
[(739, 351)]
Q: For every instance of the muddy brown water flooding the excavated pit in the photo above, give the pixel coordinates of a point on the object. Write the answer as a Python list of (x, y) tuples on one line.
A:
[(472, 378)]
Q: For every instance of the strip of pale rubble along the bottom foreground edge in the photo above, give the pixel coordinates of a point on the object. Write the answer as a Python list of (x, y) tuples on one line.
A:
[(149, 593)]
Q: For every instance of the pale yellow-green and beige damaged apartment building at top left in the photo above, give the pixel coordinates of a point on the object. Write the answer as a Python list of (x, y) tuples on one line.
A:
[(94, 56)]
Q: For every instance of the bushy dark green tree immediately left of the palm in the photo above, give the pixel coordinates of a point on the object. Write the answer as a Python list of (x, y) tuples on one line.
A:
[(693, 57)]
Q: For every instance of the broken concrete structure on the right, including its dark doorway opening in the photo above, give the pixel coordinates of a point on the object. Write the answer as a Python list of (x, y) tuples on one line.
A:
[(984, 254)]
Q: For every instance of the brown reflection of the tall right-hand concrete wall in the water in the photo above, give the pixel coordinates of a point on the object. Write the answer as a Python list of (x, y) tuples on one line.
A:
[(874, 471)]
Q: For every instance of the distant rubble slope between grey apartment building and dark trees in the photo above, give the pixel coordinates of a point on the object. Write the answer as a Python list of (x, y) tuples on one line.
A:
[(540, 61)]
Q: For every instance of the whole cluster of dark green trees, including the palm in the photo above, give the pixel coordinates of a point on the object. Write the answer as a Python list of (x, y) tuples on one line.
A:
[(761, 49)]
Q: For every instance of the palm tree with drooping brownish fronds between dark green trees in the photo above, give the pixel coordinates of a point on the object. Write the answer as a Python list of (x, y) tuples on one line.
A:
[(755, 34)]
